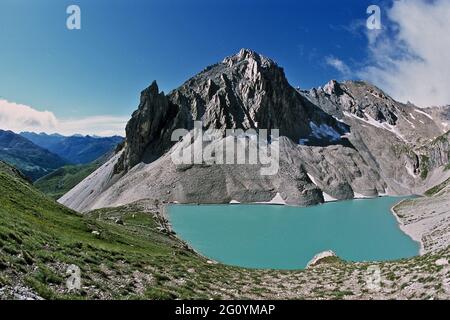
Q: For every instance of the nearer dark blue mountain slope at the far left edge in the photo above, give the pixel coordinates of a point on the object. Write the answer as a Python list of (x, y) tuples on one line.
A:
[(33, 160)]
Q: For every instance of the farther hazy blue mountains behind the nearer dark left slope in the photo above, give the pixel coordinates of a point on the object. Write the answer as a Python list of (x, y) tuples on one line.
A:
[(74, 149)]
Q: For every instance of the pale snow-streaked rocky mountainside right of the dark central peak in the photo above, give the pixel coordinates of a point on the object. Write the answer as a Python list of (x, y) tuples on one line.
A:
[(397, 140)]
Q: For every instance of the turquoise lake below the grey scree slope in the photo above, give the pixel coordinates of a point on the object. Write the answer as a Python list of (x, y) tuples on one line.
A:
[(286, 237)]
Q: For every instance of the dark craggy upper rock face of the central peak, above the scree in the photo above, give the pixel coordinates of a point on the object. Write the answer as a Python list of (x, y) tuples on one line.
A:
[(245, 91)]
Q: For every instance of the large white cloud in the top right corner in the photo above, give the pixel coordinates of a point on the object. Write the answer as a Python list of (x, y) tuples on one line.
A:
[(409, 58)]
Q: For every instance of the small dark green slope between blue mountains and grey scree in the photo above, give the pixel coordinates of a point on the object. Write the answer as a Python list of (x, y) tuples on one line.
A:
[(60, 181)]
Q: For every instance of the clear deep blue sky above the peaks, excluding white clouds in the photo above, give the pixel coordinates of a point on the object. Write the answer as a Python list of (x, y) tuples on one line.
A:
[(124, 45)]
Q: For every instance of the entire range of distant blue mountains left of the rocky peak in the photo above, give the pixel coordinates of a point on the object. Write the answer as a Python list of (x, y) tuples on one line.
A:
[(37, 155)]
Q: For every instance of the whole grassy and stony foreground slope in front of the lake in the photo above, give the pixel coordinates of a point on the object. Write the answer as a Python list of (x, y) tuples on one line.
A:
[(128, 253)]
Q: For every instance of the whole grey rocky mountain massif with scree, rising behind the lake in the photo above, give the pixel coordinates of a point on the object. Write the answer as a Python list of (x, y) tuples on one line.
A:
[(341, 141)]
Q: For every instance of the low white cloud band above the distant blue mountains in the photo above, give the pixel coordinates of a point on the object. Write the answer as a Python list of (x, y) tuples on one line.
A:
[(19, 117)]
